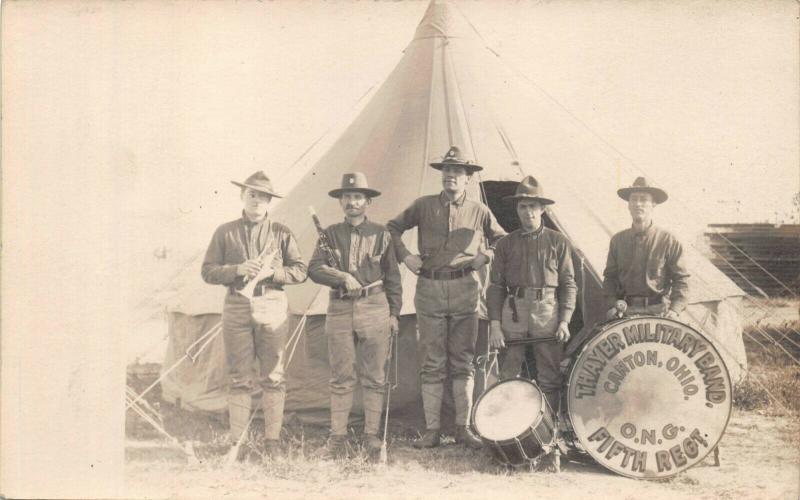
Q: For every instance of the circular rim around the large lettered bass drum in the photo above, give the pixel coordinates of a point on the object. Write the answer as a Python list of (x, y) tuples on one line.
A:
[(605, 326)]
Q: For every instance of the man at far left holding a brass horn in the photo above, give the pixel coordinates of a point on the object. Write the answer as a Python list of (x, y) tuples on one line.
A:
[(254, 247)]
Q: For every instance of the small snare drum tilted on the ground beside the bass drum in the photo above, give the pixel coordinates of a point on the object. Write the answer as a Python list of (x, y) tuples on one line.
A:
[(514, 421)]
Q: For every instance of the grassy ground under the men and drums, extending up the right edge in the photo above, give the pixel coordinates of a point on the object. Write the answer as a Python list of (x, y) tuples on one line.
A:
[(760, 455)]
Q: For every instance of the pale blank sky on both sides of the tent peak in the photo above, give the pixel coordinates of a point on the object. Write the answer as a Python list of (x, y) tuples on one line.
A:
[(146, 110)]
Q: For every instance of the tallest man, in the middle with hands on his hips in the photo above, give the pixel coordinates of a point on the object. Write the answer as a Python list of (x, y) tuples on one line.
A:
[(452, 233)]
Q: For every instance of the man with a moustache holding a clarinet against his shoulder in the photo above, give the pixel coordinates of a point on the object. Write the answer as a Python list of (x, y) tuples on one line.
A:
[(365, 301)]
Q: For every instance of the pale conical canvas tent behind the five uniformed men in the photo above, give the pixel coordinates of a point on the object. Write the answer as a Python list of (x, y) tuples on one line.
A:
[(447, 89)]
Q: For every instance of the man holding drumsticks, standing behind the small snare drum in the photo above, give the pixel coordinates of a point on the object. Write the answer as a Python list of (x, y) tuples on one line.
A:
[(532, 291)]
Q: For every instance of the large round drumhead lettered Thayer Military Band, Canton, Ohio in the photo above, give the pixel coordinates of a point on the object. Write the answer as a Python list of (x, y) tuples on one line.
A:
[(649, 397)]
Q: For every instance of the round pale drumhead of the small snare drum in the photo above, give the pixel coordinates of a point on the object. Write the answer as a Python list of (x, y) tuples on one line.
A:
[(507, 409)]
